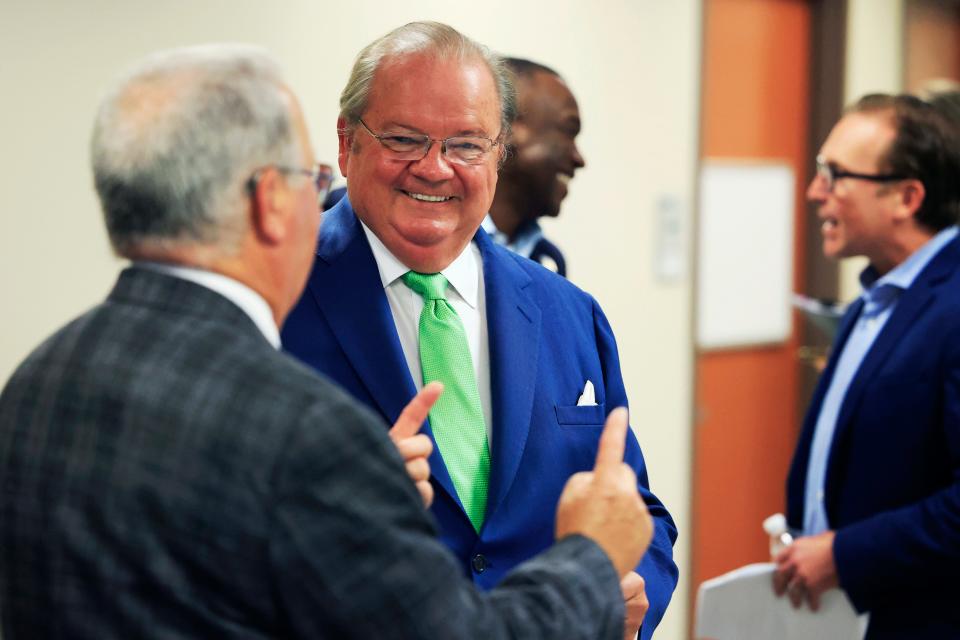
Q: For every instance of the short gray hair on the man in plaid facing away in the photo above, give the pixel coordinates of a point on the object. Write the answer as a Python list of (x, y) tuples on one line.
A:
[(177, 139)]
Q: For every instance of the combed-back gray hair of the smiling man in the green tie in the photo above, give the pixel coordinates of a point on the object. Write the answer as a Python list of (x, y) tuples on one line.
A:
[(424, 37)]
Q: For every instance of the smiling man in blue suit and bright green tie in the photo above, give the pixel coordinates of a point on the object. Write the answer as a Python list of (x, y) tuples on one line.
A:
[(406, 289)]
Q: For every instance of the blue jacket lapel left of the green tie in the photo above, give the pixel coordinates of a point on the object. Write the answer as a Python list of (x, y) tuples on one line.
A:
[(346, 286)]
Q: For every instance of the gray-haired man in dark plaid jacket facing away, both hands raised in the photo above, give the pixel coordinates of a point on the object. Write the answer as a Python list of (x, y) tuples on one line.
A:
[(168, 473)]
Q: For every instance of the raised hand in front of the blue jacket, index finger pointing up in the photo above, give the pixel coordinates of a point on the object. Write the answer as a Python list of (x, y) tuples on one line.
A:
[(604, 504)]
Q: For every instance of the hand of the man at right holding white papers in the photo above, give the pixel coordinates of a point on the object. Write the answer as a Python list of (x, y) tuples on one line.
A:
[(805, 569)]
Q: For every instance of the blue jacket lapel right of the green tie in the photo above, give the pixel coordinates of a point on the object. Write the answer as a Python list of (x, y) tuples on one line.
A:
[(513, 329)]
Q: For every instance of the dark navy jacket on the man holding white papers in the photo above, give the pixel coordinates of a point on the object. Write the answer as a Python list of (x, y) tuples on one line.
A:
[(893, 477)]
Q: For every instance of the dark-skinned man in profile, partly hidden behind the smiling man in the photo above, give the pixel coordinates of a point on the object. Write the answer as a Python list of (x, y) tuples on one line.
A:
[(541, 160)]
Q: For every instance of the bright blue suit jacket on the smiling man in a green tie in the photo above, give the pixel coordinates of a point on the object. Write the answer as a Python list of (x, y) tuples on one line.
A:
[(546, 337)]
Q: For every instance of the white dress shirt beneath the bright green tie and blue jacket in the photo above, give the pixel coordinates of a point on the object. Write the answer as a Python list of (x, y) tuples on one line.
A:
[(465, 294)]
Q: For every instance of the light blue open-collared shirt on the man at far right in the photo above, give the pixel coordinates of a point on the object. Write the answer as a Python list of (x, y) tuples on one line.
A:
[(880, 297)]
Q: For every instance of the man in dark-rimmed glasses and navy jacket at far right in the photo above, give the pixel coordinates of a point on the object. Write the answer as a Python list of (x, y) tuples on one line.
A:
[(875, 481)]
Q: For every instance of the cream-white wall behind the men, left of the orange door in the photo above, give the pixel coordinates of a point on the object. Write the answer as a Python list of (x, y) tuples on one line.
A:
[(633, 64)]
